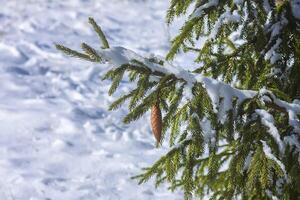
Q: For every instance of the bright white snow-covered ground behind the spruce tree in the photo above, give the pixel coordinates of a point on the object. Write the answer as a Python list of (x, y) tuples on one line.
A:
[(57, 138)]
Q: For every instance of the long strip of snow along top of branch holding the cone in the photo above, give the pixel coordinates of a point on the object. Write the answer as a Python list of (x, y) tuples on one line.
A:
[(216, 90)]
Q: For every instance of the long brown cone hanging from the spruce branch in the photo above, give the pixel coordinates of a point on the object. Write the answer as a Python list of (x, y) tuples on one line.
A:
[(156, 122)]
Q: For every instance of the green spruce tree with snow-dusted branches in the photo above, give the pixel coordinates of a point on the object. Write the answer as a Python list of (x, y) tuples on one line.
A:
[(233, 122)]
